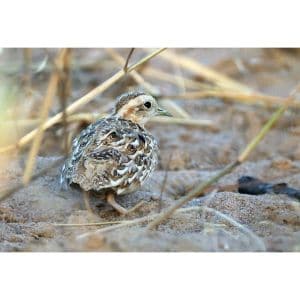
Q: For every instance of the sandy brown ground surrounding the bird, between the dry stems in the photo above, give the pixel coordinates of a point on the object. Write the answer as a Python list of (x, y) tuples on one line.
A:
[(232, 222)]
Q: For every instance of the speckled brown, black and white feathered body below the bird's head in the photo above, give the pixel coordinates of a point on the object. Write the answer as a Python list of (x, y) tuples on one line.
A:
[(111, 154)]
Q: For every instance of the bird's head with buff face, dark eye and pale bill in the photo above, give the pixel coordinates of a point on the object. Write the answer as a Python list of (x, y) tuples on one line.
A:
[(138, 107)]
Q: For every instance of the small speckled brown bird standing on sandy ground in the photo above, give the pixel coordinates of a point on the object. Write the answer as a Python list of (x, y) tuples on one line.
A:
[(116, 154)]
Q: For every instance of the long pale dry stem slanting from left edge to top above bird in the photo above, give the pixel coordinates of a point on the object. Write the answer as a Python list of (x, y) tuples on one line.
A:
[(79, 103)]
